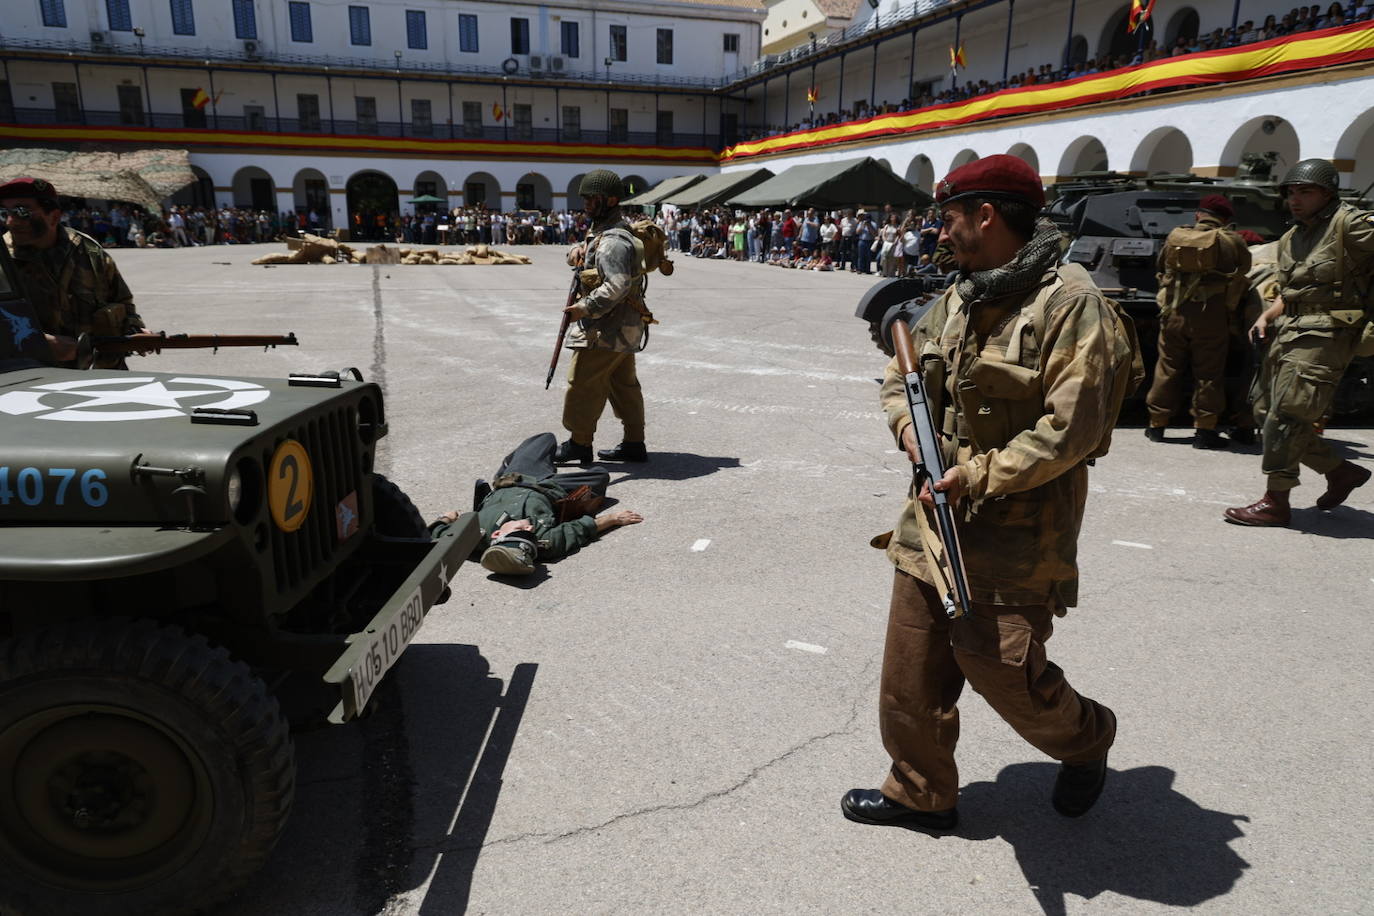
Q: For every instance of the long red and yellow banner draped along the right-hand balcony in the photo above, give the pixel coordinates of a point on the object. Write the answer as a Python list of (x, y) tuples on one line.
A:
[(1310, 51)]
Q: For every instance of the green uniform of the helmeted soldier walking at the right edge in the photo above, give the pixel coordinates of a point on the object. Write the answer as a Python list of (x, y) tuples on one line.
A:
[(1325, 275)]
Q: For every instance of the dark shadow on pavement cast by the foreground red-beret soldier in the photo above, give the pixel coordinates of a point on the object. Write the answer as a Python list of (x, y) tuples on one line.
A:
[(1144, 840)]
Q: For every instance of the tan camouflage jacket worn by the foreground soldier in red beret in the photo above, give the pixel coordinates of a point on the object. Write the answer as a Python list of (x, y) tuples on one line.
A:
[(1020, 431)]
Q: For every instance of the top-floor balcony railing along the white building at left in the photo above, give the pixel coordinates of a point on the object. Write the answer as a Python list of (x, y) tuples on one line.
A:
[(201, 58)]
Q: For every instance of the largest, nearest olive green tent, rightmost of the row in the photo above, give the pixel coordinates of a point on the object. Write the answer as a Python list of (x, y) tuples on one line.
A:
[(833, 186)]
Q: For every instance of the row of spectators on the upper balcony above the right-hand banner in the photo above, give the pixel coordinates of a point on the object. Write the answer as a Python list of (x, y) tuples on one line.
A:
[(1296, 21)]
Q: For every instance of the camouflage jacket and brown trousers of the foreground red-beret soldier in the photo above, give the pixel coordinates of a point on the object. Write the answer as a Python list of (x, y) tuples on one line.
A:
[(1022, 409)]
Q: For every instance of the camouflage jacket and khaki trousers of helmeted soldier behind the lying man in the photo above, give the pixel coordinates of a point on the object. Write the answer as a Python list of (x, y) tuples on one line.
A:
[(605, 343)]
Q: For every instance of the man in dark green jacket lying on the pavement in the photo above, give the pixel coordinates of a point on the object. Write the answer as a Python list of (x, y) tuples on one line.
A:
[(531, 513)]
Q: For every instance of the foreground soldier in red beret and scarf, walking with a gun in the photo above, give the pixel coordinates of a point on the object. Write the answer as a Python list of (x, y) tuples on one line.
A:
[(1023, 359)]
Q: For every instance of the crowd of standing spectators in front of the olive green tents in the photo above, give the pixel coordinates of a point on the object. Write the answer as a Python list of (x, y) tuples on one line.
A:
[(888, 241)]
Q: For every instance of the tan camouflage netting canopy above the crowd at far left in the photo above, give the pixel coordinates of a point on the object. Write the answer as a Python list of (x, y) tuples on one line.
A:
[(145, 176)]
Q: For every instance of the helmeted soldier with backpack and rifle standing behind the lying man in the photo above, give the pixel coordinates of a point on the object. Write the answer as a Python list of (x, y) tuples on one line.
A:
[(612, 329)]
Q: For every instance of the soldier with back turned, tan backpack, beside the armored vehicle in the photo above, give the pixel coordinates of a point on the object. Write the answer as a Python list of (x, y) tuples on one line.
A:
[(1202, 285)]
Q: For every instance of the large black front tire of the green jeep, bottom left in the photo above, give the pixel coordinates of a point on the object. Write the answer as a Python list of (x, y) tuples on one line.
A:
[(141, 771)]
